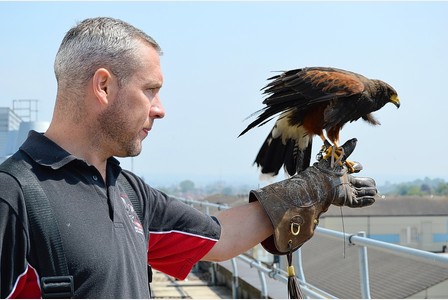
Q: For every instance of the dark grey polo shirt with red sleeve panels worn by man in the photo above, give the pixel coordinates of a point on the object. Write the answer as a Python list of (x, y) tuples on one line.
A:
[(107, 247)]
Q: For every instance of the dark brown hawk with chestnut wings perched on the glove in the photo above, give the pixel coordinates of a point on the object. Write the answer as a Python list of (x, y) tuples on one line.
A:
[(310, 101)]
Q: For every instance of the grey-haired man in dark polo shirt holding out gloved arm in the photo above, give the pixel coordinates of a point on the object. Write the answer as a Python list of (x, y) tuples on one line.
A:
[(109, 77)]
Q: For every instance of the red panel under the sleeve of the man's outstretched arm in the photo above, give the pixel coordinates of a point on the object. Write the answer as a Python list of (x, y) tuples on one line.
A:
[(175, 253)]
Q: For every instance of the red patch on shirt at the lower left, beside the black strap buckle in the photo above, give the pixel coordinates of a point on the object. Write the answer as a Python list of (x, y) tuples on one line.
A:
[(27, 285)]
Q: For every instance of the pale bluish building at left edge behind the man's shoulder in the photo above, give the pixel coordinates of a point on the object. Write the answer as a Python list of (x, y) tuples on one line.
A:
[(15, 124)]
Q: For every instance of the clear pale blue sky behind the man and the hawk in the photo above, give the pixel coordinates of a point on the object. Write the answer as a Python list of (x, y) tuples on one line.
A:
[(218, 56)]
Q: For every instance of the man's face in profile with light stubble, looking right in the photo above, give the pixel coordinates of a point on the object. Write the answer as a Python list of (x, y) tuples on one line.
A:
[(130, 117)]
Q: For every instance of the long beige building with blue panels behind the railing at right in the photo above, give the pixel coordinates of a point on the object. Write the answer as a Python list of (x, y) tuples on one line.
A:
[(416, 222)]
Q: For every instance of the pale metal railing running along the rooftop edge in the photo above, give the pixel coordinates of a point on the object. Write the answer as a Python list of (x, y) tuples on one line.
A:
[(310, 291)]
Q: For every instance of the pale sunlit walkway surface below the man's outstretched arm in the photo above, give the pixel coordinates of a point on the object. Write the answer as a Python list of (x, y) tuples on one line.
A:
[(195, 286)]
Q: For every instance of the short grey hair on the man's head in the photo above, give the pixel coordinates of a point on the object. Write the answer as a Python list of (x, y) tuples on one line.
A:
[(95, 43)]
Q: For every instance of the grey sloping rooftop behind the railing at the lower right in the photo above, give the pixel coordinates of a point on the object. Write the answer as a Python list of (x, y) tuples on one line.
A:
[(391, 276)]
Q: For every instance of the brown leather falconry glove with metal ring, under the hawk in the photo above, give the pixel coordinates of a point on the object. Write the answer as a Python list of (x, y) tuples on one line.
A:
[(294, 205)]
